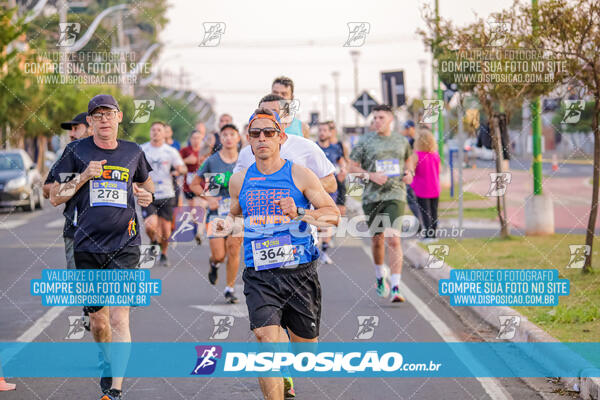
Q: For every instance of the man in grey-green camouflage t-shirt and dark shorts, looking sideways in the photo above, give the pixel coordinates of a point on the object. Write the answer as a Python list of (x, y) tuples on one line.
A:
[(387, 159)]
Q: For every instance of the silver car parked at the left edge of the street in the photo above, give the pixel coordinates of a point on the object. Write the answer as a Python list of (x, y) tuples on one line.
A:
[(20, 181)]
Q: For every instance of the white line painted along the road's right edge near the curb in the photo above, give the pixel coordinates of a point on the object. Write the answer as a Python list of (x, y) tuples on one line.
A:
[(491, 385)]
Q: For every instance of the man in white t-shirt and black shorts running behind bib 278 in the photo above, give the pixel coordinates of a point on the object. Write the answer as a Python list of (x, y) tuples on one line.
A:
[(158, 215)]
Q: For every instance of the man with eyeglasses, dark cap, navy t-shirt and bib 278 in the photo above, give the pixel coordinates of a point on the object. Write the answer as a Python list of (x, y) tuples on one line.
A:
[(113, 173)]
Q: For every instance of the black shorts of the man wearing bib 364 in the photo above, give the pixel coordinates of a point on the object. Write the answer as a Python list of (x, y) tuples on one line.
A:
[(287, 297)]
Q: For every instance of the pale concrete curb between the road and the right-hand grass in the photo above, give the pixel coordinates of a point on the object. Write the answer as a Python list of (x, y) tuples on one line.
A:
[(588, 387)]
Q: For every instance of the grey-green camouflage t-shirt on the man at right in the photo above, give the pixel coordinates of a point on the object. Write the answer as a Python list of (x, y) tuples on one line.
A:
[(385, 154)]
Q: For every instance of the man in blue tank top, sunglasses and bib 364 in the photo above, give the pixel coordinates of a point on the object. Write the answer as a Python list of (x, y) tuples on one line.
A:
[(280, 280)]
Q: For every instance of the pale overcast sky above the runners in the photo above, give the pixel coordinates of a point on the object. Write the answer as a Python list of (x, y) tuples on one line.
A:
[(303, 40)]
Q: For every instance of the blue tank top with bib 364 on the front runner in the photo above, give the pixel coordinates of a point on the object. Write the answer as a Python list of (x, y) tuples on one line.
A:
[(271, 239)]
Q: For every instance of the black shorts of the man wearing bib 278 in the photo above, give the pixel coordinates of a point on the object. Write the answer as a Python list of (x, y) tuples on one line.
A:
[(125, 258)]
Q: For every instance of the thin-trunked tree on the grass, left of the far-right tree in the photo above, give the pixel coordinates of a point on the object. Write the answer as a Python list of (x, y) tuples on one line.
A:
[(475, 58)]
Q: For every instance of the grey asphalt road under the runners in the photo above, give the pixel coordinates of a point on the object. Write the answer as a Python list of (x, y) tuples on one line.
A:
[(30, 242)]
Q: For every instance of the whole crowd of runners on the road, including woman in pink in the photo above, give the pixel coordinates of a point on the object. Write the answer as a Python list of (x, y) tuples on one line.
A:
[(266, 198)]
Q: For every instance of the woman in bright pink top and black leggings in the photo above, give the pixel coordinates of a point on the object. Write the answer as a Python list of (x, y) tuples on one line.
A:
[(426, 182)]
